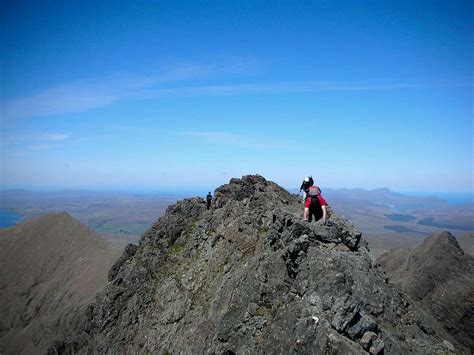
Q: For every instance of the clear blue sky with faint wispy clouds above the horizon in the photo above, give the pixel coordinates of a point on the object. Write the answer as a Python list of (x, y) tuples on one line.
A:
[(167, 95)]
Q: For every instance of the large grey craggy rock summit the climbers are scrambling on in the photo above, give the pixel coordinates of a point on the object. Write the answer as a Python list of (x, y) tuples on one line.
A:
[(249, 276)]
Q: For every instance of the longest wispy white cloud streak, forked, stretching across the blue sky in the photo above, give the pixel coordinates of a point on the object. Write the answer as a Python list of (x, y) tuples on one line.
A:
[(89, 94)]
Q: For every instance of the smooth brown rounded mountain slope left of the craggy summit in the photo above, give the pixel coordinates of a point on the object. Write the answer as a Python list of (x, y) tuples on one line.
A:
[(50, 269)]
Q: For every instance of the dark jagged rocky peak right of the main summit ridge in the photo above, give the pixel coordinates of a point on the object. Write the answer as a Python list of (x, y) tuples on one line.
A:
[(440, 276)]
